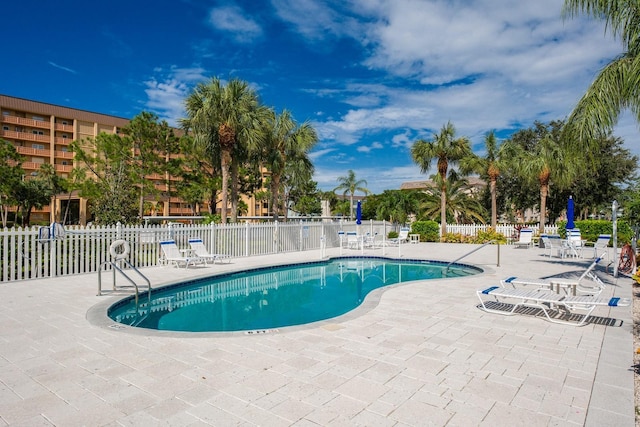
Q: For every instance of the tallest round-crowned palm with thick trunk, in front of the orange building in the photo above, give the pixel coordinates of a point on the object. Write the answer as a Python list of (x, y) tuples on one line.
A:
[(221, 116)]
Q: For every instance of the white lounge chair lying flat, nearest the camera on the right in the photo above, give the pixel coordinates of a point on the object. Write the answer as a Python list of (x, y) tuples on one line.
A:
[(557, 308)]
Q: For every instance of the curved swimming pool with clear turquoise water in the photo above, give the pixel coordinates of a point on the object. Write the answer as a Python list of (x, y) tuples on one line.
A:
[(274, 297)]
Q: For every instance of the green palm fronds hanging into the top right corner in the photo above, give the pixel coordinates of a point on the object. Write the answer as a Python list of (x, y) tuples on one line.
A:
[(616, 87)]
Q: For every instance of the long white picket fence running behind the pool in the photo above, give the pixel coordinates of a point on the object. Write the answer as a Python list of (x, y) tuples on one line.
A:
[(38, 252)]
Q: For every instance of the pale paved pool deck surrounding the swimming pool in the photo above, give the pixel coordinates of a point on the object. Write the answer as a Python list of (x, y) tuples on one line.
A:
[(420, 353)]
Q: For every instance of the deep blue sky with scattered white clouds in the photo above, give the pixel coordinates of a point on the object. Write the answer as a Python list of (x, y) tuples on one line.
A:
[(373, 76)]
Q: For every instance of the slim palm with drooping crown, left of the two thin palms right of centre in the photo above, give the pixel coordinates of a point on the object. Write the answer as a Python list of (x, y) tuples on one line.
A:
[(448, 150)]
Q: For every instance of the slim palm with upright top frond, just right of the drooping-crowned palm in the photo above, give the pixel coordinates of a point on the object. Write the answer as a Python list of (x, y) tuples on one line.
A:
[(488, 167)]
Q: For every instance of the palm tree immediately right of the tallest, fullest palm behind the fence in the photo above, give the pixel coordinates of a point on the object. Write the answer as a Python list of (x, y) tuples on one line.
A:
[(284, 141)]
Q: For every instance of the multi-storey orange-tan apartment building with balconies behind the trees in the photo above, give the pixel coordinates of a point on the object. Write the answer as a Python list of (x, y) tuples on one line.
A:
[(42, 134)]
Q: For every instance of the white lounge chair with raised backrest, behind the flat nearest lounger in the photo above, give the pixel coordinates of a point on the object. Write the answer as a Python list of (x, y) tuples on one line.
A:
[(570, 286)]
